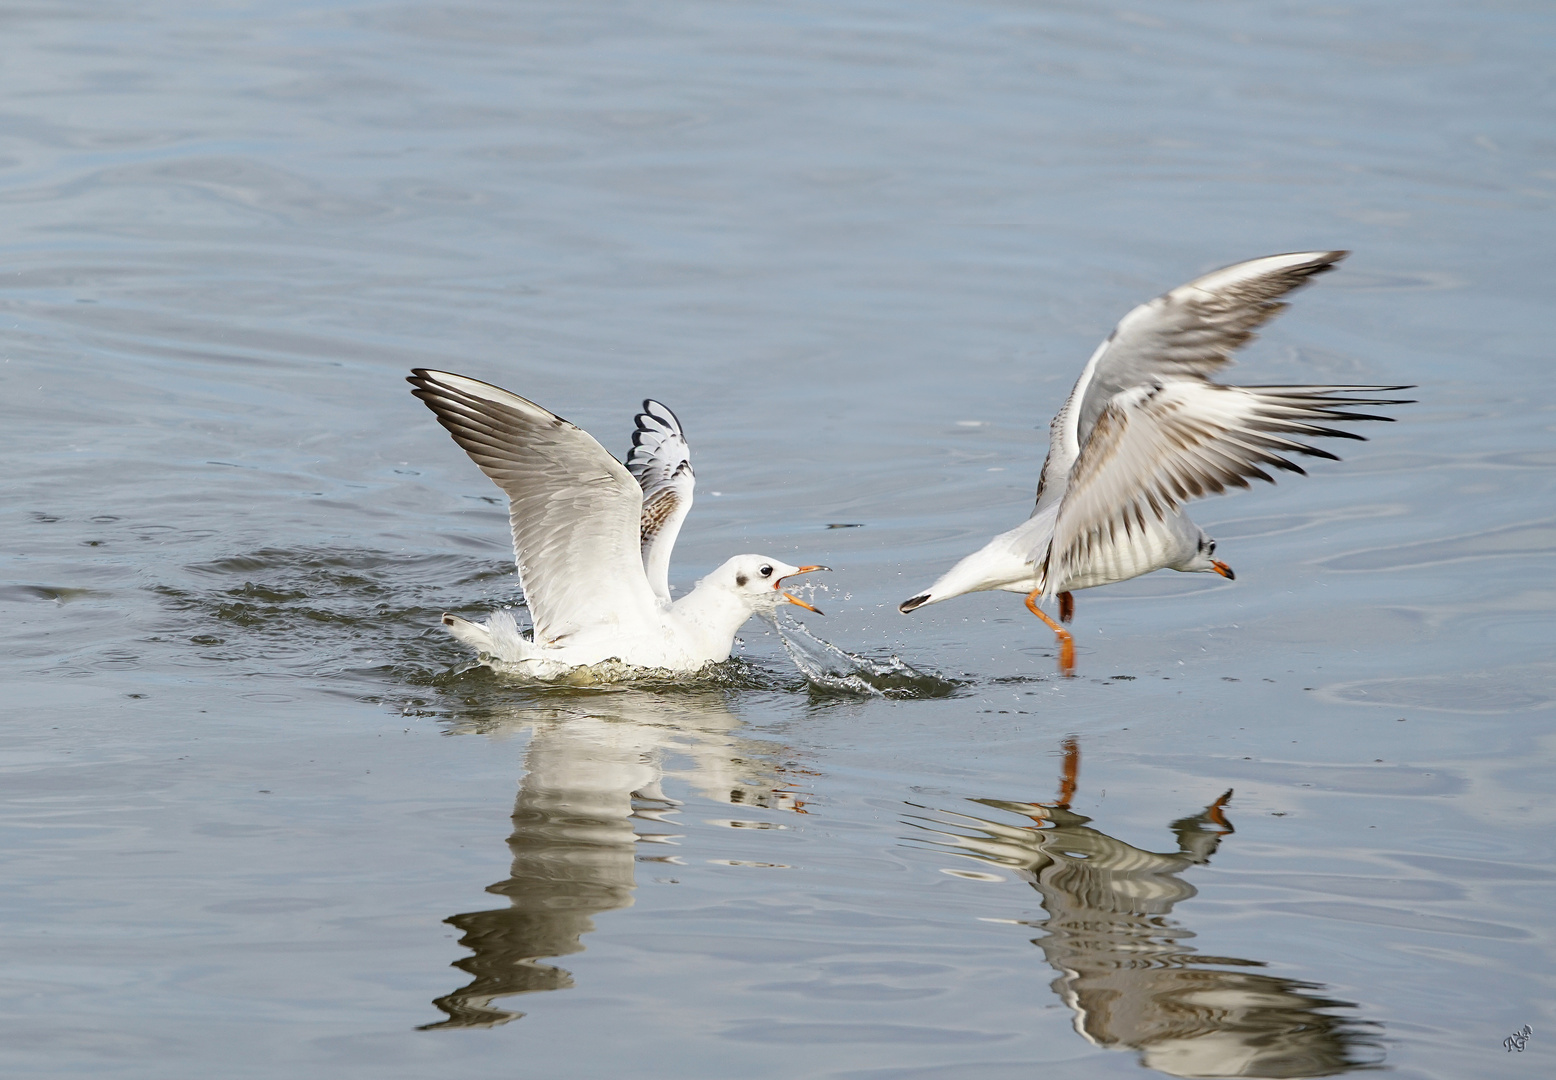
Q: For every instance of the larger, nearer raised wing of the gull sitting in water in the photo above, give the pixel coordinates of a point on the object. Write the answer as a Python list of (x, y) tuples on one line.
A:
[(573, 508)]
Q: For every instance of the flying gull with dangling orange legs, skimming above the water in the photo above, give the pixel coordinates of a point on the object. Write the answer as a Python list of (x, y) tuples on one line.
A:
[(1146, 432)]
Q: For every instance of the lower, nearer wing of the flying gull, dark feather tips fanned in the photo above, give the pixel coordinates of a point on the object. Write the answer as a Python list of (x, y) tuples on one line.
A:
[(1160, 446)]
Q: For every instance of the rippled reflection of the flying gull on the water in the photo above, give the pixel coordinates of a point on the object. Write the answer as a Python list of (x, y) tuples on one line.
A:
[(1127, 970)]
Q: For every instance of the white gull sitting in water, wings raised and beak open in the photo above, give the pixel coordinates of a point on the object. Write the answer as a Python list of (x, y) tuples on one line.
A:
[(594, 538)]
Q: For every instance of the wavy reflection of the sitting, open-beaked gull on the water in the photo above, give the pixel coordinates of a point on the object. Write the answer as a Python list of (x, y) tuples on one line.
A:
[(589, 799)]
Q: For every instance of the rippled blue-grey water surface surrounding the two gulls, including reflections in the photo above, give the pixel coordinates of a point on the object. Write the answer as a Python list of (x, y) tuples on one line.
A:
[(262, 816)]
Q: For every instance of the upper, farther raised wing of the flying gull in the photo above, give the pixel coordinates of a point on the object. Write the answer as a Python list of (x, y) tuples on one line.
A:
[(1191, 331)]
